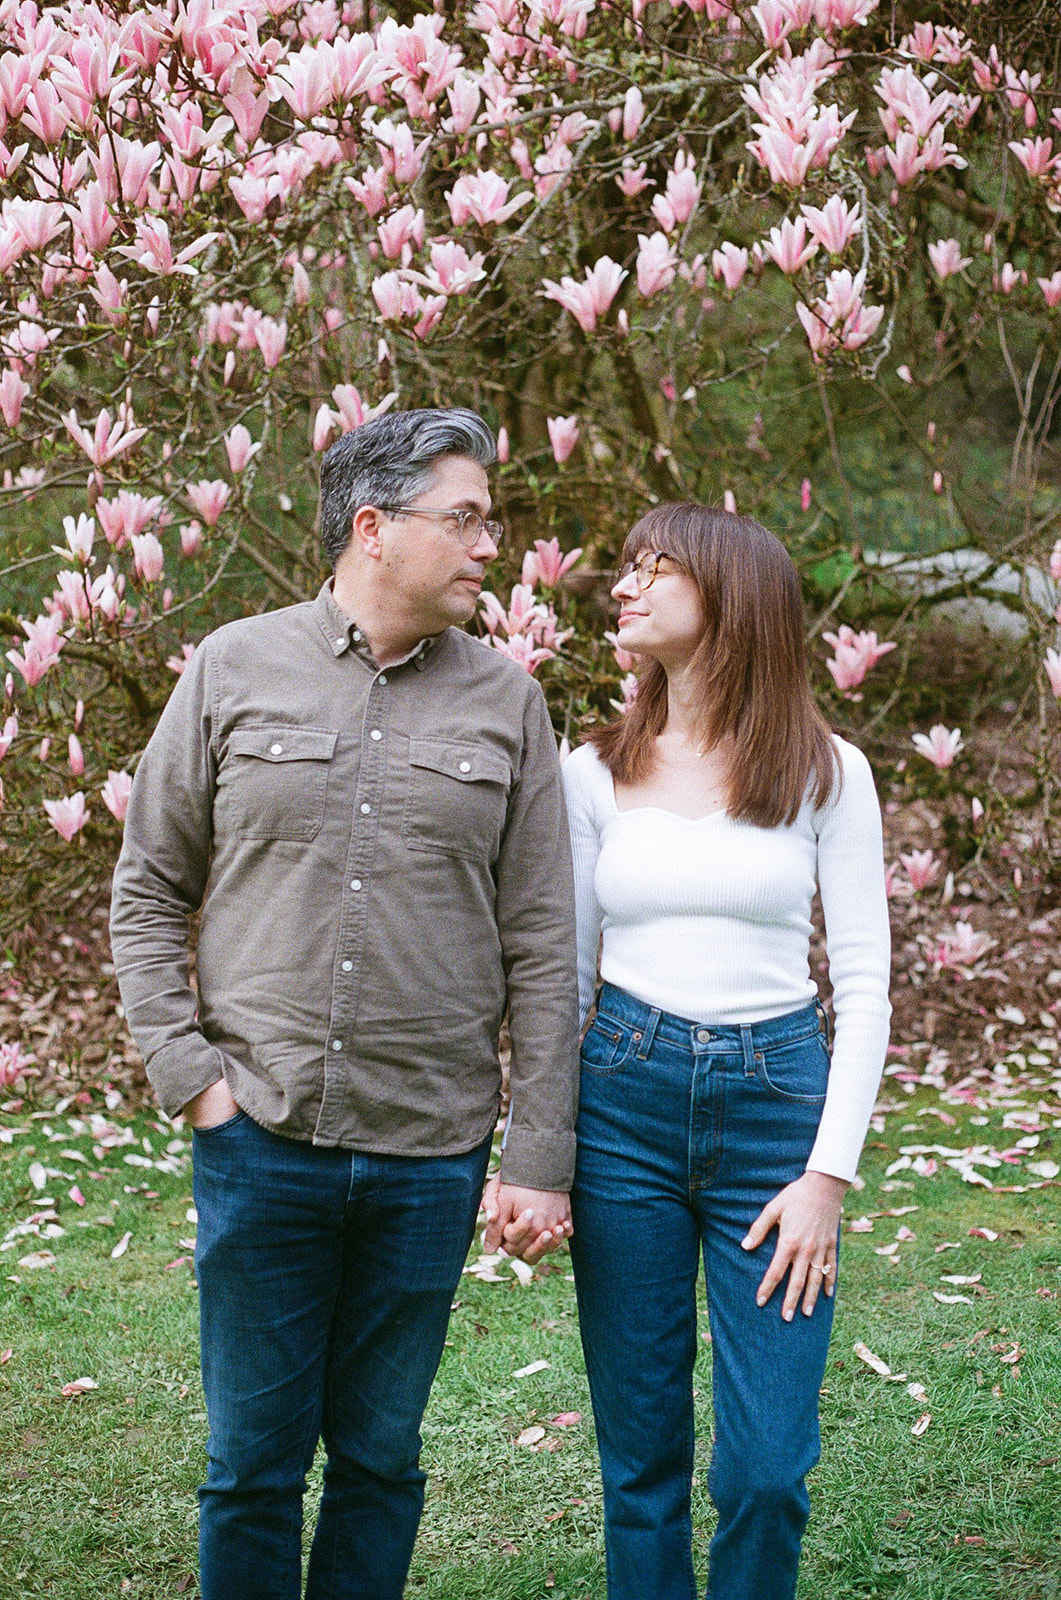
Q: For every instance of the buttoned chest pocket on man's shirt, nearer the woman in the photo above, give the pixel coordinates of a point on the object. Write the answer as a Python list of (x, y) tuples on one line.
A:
[(457, 799)]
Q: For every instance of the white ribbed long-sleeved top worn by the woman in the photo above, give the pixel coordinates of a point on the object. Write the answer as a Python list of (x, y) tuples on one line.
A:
[(711, 921)]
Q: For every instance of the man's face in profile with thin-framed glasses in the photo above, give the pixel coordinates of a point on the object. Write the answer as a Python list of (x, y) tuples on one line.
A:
[(436, 578)]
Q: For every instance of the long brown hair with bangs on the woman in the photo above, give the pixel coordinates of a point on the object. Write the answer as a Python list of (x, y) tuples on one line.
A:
[(750, 666)]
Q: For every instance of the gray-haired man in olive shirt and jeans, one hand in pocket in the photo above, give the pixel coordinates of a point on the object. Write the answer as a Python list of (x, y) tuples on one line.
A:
[(366, 802)]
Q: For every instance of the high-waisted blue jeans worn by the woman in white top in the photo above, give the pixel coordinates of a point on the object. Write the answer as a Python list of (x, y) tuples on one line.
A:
[(684, 1135)]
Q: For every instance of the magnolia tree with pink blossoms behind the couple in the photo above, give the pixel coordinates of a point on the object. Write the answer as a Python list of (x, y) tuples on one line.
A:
[(670, 250)]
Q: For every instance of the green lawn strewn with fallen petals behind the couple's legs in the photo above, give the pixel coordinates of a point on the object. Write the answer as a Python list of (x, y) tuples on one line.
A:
[(98, 1492)]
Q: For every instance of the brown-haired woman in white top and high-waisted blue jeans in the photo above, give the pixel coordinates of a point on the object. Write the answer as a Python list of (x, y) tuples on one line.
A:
[(711, 1118)]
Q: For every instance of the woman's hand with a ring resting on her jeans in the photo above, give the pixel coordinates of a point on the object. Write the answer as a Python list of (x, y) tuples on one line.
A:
[(807, 1217)]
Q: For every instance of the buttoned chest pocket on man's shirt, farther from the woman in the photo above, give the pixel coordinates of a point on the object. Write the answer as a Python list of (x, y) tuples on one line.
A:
[(274, 783)]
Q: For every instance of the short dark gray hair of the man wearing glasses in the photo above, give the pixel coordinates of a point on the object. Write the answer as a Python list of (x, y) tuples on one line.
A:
[(390, 462)]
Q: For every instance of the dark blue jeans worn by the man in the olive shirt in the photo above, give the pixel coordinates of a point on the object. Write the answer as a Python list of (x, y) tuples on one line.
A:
[(326, 1289)]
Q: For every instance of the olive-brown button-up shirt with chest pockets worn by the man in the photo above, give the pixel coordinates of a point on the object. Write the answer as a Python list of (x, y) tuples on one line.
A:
[(383, 868)]
